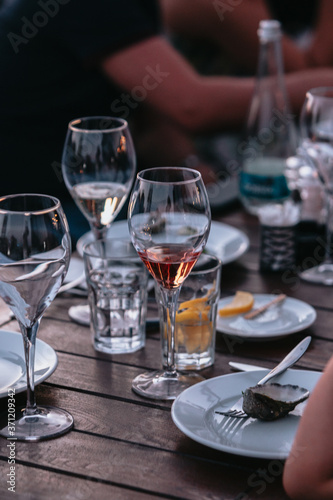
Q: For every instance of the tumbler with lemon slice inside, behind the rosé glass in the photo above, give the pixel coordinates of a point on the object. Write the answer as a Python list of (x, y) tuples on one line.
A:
[(196, 316)]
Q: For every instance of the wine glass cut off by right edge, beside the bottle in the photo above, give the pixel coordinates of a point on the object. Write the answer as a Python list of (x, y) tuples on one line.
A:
[(317, 142)]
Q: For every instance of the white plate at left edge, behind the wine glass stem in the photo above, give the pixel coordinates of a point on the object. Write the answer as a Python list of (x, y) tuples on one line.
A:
[(12, 364)]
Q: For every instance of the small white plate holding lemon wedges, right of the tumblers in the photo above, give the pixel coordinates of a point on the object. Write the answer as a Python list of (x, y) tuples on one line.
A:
[(290, 316)]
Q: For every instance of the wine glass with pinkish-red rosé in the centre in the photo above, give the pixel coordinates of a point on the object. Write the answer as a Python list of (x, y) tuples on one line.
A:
[(169, 222)]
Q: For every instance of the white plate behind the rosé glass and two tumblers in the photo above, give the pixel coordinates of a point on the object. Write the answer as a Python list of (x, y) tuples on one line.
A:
[(226, 242)]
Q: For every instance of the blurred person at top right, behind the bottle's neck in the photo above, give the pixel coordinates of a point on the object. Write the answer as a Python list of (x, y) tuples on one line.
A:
[(232, 28)]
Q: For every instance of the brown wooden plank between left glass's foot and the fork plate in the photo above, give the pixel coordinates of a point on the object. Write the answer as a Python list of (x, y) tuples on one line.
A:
[(129, 422)]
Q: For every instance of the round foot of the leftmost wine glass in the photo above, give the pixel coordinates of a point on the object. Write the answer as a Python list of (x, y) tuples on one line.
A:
[(48, 422)]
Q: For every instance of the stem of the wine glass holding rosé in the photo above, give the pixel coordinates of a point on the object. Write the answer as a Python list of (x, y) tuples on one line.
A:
[(170, 301)]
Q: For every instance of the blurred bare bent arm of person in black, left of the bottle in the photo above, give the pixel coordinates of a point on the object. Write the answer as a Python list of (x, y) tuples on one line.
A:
[(166, 82)]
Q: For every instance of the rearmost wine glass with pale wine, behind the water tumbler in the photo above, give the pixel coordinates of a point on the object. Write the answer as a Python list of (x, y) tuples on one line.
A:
[(98, 165)]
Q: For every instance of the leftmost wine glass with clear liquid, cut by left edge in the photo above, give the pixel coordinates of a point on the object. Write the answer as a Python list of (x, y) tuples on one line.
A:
[(34, 256)]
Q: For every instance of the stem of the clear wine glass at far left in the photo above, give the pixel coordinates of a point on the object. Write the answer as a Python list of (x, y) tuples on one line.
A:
[(29, 340)]
